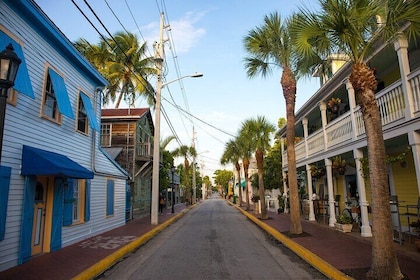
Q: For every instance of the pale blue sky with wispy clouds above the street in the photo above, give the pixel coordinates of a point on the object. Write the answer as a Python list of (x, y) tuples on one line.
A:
[(200, 37)]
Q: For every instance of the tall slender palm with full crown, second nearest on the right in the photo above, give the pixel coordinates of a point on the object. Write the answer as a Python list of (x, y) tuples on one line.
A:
[(269, 47)]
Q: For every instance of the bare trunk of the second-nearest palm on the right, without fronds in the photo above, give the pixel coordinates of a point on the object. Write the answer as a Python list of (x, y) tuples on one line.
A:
[(288, 84)]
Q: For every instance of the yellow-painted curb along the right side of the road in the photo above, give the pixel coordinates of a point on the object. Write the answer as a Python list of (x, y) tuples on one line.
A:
[(318, 263)]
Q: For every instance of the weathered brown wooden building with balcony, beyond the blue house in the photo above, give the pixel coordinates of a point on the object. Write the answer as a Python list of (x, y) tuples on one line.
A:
[(126, 134)]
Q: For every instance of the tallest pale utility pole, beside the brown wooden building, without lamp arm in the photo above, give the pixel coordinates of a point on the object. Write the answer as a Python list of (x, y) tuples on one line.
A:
[(156, 153)]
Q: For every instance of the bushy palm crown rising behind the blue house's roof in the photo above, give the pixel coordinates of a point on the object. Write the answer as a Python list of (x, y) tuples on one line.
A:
[(122, 61)]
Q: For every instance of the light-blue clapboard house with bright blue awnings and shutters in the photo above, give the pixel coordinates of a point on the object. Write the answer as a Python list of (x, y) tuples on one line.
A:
[(57, 185)]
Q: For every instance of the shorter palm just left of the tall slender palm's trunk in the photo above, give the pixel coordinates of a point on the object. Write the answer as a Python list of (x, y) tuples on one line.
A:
[(261, 130)]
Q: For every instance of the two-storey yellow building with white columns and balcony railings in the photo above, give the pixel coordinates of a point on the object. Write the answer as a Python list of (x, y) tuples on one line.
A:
[(332, 147)]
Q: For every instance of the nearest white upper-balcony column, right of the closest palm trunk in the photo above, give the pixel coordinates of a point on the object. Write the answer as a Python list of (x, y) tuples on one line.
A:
[(400, 46)]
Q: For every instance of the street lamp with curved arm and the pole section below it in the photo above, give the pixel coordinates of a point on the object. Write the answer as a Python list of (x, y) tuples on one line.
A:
[(155, 173)]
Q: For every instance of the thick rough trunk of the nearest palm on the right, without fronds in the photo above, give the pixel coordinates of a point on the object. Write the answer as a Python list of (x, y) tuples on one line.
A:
[(384, 259)]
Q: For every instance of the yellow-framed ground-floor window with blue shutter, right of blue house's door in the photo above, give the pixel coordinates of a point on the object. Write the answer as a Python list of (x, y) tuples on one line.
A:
[(76, 202)]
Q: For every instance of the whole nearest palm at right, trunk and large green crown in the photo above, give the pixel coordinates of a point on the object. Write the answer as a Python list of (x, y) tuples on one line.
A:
[(352, 28)]
